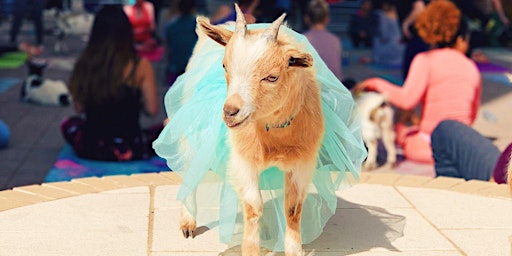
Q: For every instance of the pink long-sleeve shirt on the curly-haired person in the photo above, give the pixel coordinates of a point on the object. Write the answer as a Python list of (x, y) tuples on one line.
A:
[(445, 81)]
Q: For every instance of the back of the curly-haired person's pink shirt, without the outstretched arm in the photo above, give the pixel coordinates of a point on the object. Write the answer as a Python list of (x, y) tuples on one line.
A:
[(454, 87)]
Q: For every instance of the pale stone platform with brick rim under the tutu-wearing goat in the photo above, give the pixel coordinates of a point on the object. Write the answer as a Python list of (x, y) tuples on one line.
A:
[(382, 214)]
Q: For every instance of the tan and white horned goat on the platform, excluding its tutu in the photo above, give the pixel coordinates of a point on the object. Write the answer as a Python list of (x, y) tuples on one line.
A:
[(274, 115)]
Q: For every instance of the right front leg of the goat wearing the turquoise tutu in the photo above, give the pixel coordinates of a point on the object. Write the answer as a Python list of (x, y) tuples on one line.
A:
[(297, 181)]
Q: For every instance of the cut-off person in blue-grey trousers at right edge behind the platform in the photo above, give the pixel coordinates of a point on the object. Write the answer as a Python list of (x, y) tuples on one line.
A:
[(461, 152)]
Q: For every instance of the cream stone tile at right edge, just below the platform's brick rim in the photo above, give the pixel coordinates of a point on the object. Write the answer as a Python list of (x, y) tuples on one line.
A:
[(449, 210)]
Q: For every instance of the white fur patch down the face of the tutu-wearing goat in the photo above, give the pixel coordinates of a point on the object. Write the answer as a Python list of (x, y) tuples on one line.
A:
[(245, 55)]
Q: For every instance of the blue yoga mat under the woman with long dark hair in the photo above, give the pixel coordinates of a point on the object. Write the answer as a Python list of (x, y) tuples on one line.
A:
[(69, 166)]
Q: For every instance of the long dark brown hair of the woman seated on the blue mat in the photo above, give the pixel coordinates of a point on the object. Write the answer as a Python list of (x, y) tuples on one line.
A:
[(100, 71)]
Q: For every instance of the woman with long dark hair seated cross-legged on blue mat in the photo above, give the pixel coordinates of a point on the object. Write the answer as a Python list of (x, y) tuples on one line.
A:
[(111, 86)]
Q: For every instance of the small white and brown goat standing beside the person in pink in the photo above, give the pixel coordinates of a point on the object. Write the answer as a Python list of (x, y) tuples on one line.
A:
[(376, 123)]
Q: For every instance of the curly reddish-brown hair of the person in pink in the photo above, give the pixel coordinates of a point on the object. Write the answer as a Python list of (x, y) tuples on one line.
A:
[(439, 23)]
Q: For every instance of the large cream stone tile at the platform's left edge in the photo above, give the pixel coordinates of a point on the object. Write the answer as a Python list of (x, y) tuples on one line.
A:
[(93, 224)]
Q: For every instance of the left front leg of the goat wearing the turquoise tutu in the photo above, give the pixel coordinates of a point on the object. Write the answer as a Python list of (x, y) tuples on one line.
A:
[(246, 179)]
